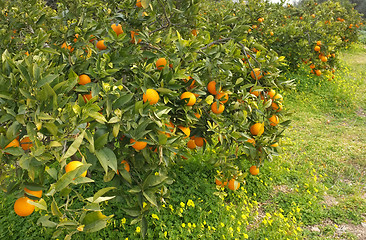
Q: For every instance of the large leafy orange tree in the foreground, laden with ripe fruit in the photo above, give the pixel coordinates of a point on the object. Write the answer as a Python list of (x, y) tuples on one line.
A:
[(109, 94)]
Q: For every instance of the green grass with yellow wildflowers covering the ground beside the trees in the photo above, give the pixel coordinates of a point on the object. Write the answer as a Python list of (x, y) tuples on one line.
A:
[(312, 191)]
